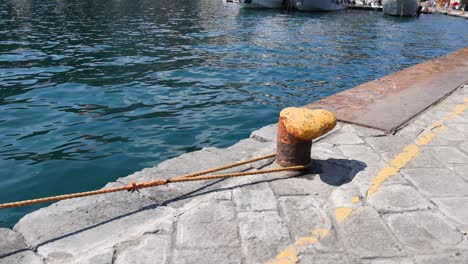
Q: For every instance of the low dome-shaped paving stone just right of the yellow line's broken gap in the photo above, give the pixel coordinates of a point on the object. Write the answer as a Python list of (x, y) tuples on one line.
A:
[(398, 198)]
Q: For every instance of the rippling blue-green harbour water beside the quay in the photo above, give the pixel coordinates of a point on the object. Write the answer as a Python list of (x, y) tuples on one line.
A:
[(92, 90)]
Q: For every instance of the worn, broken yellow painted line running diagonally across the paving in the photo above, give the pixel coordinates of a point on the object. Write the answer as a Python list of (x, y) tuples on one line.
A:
[(291, 254)]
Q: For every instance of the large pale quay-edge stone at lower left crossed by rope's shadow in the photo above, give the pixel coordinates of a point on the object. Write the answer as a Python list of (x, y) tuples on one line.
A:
[(72, 227)]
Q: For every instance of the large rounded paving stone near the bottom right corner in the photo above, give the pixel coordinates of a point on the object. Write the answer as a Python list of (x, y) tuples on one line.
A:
[(423, 232)]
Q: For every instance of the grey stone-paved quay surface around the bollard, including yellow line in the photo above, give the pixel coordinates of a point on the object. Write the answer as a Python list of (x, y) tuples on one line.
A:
[(370, 198)]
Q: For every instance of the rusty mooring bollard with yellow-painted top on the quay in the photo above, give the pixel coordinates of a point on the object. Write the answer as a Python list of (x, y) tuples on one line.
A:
[(296, 129)]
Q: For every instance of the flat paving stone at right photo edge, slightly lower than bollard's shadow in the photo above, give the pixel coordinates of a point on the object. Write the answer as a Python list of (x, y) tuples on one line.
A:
[(436, 181)]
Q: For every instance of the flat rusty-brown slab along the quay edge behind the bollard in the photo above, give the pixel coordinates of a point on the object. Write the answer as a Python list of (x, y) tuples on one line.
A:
[(390, 102)]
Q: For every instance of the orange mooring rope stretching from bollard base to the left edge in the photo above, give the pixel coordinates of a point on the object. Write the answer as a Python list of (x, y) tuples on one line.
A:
[(198, 176)]
